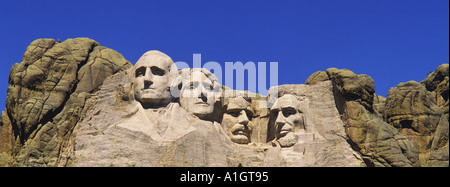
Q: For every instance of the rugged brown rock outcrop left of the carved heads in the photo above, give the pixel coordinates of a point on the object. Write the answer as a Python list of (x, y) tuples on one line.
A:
[(47, 94)]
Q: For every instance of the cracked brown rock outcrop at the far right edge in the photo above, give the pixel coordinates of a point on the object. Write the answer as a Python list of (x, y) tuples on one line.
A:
[(420, 112)]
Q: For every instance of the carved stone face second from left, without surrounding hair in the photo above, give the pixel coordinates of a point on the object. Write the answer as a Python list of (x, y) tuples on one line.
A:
[(197, 94)]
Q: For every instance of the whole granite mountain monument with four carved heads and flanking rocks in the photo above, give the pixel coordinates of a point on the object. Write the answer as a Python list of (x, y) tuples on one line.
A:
[(77, 103)]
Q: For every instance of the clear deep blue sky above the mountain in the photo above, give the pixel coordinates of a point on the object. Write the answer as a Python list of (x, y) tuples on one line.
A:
[(393, 41)]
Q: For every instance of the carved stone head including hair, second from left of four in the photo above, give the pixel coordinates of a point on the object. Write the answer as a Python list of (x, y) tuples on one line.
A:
[(199, 92)]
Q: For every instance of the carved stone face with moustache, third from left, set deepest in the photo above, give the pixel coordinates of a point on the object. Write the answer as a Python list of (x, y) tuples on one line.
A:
[(235, 120)]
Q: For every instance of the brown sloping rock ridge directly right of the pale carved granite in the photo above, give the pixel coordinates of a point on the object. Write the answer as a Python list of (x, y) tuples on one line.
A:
[(379, 143)]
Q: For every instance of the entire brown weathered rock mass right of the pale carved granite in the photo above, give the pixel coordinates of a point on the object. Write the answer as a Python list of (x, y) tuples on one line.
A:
[(408, 128)]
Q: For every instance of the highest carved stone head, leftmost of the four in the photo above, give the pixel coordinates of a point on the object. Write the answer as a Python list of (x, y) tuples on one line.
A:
[(152, 78)]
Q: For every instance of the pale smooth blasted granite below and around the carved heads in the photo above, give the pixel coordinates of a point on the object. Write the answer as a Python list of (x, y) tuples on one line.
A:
[(115, 132)]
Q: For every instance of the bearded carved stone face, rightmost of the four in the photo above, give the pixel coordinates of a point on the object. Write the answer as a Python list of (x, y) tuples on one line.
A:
[(288, 119)]
